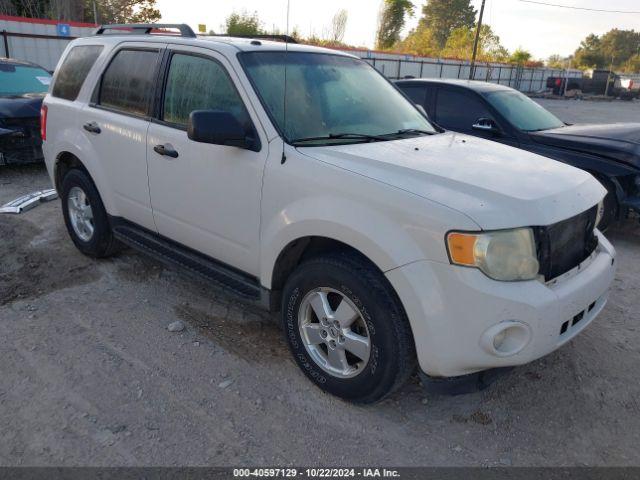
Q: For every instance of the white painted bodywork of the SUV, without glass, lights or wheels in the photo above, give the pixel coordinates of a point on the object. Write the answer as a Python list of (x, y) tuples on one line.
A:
[(393, 201)]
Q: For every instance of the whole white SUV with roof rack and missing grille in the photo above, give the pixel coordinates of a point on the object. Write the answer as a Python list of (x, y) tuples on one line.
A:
[(302, 179)]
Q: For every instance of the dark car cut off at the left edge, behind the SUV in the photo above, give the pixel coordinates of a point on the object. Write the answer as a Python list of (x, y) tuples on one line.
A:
[(23, 85)]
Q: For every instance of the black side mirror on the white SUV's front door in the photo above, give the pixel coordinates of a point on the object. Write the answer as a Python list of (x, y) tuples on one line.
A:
[(220, 128)]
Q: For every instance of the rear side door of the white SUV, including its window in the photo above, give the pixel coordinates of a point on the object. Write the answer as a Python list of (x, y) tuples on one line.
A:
[(117, 121)]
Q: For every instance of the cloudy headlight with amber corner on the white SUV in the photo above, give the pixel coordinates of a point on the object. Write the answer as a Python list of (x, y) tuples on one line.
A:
[(506, 255)]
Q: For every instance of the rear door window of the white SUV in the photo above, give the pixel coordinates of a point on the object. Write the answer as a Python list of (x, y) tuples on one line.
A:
[(127, 83)]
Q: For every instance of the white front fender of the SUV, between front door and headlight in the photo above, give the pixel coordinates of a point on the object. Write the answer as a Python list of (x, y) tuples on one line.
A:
[(306, 197)]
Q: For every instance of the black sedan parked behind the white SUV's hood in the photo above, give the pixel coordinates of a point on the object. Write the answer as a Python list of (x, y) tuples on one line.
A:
[(610, 152)]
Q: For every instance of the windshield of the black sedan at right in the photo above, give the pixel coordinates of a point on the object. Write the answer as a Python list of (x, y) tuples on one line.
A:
[(522, 112)]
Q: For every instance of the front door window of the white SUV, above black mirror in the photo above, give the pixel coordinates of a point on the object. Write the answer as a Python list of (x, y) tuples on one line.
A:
[(199, 83)]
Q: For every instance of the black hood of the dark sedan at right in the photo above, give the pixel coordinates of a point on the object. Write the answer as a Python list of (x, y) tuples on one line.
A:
[(618, 141)]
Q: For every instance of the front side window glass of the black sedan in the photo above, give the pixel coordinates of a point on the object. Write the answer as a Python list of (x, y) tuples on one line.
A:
[(458, 111)]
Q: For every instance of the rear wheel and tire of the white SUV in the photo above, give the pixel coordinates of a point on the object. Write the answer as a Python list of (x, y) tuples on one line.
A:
[(85, 216)]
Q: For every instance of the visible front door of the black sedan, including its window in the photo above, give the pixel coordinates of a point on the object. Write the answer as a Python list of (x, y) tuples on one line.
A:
[(458, 109)]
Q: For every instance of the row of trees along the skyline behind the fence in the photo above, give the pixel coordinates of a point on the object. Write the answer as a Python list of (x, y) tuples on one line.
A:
[(446, 28)]
